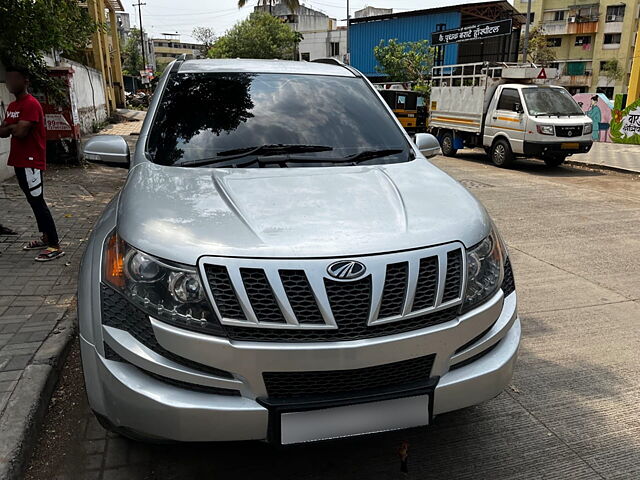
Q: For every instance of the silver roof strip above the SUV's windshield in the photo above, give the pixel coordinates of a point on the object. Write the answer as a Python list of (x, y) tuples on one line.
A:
[(263, 66)]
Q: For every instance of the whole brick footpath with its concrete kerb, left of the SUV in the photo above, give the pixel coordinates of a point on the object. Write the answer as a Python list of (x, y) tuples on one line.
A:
[(37, 300)]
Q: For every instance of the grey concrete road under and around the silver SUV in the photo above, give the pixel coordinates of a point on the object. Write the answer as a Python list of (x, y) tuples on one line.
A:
[(572, 410)]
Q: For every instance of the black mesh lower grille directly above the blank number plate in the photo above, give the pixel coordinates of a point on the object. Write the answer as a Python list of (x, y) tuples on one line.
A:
[(289, 385)]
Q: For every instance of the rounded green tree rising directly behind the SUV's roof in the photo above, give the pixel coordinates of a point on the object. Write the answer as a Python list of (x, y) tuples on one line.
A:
[(259, 36)]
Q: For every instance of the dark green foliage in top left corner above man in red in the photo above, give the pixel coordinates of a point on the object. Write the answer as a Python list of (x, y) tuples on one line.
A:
[(31, 28)]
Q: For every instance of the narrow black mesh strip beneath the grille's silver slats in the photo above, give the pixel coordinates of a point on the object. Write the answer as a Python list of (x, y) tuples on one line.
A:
[(351, 331)]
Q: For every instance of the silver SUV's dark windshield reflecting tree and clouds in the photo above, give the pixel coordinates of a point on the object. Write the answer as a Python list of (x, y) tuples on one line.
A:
[(251, 120)]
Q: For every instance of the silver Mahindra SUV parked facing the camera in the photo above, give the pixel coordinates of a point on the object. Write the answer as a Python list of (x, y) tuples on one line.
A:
[(284, 264)]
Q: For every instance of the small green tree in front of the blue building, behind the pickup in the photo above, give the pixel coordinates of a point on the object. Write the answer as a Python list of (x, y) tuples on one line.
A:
[(405, 61)]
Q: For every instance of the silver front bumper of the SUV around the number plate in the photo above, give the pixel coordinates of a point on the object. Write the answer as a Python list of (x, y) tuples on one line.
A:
[(132, 399)]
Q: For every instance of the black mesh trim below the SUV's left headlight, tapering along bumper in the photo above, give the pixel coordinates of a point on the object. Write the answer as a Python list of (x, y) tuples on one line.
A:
[(117, 312)]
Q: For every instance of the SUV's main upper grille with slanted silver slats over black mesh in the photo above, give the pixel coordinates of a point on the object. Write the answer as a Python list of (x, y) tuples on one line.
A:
[(289, 300)]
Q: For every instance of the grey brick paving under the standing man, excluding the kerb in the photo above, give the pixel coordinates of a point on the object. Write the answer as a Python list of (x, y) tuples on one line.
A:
[(34, 297)]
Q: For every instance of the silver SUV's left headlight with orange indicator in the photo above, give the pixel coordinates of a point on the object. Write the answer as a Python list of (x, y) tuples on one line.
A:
[(169, 292)]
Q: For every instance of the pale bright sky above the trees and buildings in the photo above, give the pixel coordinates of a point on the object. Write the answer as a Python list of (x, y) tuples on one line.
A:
[(171, 16)]
